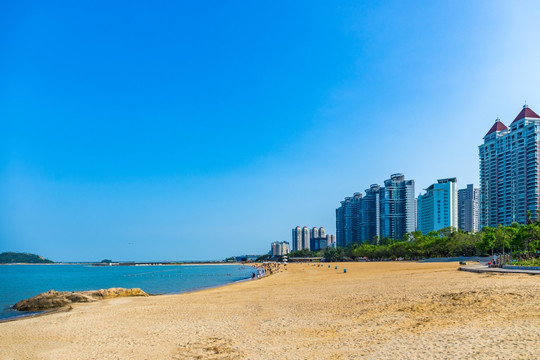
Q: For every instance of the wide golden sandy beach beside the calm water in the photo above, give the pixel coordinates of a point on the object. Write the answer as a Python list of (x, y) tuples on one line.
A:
[(374, 311)]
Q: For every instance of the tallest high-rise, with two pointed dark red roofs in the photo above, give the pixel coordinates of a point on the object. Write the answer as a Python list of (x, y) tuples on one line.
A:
[(510, 171)]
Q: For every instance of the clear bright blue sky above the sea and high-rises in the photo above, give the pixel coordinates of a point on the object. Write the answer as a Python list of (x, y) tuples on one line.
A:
[(177, 130)]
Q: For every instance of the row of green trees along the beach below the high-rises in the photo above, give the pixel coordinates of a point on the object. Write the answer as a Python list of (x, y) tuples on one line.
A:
[(523, 241)]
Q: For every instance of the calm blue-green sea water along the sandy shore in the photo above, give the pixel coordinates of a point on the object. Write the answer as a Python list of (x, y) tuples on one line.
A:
[(19, 282)]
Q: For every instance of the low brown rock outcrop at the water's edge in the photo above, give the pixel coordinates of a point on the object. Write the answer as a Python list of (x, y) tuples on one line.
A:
[(57, 299)]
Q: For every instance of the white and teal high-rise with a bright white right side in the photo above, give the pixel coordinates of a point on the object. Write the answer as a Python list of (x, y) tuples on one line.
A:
[(438, 207)]
